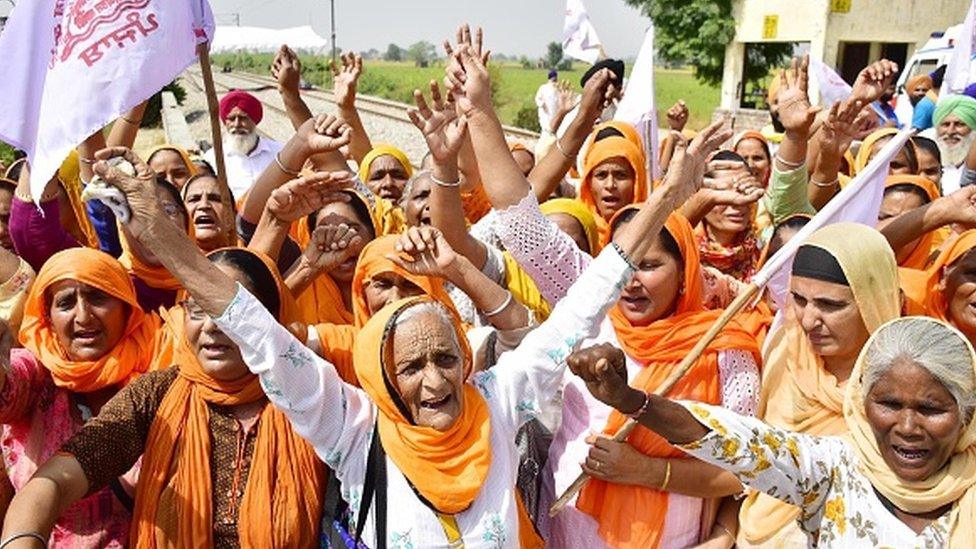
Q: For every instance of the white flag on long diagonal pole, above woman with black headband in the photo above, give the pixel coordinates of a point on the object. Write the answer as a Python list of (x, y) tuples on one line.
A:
[(858, 202)]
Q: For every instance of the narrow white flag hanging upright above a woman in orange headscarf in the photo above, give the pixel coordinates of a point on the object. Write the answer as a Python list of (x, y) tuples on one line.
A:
[(638, 107)]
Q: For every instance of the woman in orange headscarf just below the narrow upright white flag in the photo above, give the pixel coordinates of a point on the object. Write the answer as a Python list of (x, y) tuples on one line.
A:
[(614, 173)]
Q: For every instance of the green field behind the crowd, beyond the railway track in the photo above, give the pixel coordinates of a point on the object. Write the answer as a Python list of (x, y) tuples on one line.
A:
[(514, 86)]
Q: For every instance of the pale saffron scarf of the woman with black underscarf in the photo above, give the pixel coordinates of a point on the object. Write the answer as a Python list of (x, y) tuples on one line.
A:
[(798, 393)]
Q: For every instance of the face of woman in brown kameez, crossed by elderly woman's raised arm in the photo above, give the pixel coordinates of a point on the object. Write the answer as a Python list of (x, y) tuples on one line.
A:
[(218, 355)]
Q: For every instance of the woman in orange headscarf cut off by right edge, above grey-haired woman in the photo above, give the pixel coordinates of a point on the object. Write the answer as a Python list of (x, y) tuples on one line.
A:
[(947, 288)]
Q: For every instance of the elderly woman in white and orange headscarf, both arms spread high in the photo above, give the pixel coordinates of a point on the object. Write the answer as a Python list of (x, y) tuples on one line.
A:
[(449, 440)]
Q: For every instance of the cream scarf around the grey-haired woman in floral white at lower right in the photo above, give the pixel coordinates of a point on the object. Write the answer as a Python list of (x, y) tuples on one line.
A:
[(953, 483)]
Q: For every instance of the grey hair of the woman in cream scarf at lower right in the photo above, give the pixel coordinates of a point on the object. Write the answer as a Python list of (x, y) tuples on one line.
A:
[(941, 350)]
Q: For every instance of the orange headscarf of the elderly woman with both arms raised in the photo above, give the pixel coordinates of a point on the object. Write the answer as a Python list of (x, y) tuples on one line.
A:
[(447, 468)]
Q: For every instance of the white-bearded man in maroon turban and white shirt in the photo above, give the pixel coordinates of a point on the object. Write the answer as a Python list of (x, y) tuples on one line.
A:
[(246, 152)]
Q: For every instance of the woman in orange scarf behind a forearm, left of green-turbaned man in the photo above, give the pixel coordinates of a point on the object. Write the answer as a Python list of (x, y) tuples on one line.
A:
[(904, 193)]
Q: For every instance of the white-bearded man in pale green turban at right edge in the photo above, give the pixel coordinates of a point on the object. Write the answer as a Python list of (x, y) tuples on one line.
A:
[(954, 120)]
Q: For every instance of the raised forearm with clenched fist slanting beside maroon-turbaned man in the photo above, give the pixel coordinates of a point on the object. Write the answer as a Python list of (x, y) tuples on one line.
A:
[(323, 134)]
